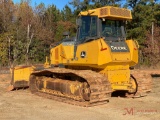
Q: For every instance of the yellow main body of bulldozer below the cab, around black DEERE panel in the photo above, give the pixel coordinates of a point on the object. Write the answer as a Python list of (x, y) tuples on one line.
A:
[(99, 58)]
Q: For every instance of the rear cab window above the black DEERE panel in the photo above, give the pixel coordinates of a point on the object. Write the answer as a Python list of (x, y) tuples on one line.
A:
[(113, 30)]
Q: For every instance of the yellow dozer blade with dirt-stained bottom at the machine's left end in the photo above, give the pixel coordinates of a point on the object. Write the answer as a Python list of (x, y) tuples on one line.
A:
[(20, 77)]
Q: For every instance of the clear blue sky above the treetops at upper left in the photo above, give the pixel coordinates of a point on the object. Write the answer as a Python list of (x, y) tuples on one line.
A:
[(59, 3)]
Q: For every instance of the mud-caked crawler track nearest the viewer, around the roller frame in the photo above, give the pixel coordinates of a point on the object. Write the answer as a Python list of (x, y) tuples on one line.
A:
[(99, 86)]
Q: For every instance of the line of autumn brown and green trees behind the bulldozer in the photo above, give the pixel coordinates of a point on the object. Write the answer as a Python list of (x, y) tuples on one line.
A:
[(27, 32)]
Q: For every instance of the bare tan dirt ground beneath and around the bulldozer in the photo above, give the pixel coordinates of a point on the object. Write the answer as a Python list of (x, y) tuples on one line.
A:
[(22, 105)]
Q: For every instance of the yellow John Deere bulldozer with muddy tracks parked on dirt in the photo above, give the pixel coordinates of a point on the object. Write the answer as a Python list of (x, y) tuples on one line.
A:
[(86, 69)]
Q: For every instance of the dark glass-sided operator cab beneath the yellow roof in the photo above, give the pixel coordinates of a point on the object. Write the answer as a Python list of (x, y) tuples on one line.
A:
[(92, 27)]
